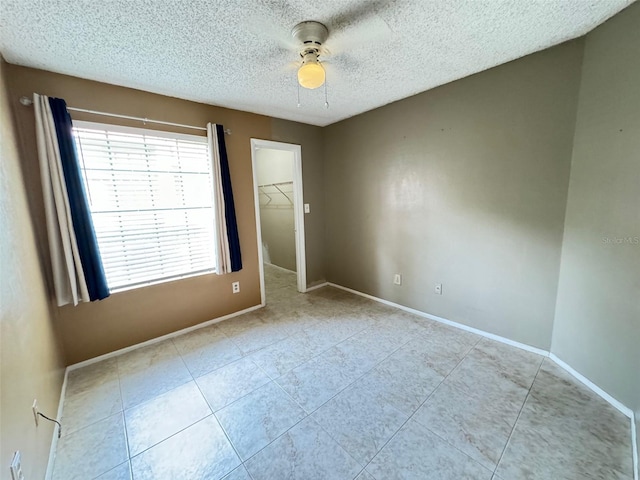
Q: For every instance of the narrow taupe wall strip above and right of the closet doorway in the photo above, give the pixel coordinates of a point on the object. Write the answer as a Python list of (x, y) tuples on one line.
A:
[(310, 138)]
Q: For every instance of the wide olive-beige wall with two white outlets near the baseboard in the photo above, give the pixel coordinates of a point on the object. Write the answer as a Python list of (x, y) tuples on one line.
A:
[(464, 185)]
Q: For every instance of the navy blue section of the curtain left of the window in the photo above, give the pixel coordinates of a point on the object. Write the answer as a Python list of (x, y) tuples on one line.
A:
[(80, 214)]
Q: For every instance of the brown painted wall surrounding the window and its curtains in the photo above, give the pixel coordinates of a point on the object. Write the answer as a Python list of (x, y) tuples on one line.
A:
[(137, 315)]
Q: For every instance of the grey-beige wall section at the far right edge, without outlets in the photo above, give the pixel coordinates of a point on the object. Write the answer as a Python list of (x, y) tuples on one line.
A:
[(597, 325)]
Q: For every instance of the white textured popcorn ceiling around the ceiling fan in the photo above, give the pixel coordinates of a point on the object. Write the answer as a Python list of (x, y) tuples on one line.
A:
[(233, 52)]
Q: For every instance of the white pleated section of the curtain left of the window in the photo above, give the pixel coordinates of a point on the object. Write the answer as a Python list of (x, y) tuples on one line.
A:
[(68, 276)]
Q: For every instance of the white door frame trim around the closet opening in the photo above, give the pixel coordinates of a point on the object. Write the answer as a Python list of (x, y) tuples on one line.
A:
[(298, 210)]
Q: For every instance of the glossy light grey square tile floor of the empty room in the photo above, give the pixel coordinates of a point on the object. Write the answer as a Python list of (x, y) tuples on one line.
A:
[(328, 385)]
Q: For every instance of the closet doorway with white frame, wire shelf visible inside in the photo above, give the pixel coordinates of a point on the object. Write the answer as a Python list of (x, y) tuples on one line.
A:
[(277, 182)]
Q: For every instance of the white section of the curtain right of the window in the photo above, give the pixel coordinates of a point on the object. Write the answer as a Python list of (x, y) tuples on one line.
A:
[(223, 255)]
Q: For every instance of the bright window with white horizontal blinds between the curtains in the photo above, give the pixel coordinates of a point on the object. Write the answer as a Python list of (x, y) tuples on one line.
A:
[(150, 195)]
